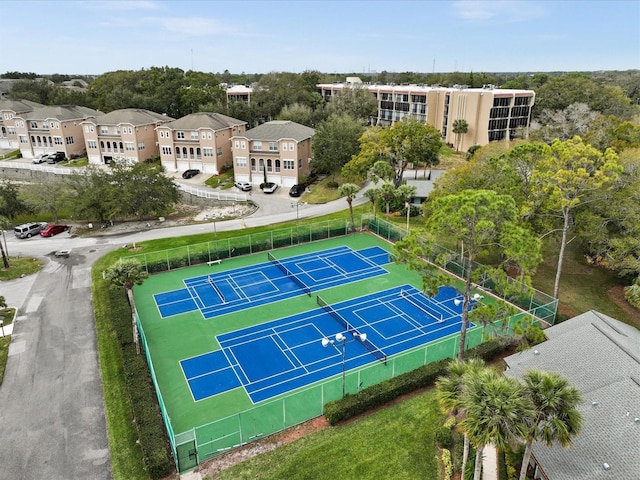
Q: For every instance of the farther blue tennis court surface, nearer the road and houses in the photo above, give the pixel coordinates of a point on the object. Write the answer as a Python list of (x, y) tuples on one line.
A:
[(241, 288)]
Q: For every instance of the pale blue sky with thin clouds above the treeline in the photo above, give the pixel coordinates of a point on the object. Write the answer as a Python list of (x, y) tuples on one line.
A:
[(330, 36)]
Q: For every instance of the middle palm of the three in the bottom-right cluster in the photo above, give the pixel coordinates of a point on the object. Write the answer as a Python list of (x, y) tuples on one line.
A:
[(497, 411)]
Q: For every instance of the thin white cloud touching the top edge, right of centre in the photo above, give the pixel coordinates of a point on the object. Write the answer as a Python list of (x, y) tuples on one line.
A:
[(503, 10)]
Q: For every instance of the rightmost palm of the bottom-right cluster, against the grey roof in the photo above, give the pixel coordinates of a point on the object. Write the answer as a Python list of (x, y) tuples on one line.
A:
[(557, 419)]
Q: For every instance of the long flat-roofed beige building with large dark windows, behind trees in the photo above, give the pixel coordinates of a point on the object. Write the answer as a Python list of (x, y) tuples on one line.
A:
[(492, 114)]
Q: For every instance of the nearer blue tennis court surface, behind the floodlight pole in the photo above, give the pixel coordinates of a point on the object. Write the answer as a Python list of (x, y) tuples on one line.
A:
[(275, 357)]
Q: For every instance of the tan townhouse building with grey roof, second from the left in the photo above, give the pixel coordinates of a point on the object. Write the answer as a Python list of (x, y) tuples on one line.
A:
[(52, 129)]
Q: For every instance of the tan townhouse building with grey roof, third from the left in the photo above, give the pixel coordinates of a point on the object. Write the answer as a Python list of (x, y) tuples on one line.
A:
[(126, 136)]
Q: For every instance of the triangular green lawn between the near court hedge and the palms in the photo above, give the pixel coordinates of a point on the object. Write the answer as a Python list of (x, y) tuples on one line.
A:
[(395, 442)]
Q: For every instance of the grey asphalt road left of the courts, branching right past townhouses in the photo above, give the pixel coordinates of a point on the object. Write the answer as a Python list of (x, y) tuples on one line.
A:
[(52, 420)]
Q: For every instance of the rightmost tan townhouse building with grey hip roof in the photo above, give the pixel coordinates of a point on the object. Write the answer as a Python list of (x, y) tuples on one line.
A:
[(278, 151)]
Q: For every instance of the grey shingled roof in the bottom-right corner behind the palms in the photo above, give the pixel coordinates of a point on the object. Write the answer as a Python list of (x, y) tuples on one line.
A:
[(601, 357)]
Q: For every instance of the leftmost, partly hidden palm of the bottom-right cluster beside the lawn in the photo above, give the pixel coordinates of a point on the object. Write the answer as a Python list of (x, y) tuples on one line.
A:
[(449, 392)]
